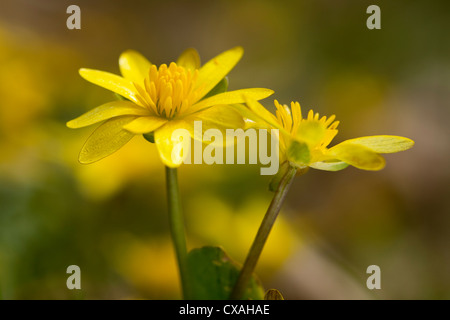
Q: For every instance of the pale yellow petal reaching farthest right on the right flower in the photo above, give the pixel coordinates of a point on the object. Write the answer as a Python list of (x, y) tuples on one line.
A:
[(383, 144)]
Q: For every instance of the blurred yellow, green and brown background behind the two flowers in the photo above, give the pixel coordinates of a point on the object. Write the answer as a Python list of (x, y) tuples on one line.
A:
[(110, 217)]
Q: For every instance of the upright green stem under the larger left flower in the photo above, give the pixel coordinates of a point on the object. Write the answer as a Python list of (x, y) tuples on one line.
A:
[(177, 227)]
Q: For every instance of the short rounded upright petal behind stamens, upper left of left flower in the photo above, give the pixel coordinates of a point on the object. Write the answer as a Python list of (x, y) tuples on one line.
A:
[(134, 66)]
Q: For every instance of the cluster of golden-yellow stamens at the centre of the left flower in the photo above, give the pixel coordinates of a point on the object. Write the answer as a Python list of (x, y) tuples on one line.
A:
[(168, 91)]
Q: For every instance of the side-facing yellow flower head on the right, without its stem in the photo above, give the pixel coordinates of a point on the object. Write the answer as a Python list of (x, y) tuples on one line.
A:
[(304, 141)]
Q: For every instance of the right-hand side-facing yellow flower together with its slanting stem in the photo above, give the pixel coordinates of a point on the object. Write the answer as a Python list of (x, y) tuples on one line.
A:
[(303, 144)]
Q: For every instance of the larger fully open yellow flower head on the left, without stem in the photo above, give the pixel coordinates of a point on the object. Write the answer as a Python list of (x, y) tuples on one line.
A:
[(160, 100)]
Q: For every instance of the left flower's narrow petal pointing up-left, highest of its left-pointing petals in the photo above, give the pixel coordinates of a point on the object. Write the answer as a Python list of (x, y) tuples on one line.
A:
[(115, 83)]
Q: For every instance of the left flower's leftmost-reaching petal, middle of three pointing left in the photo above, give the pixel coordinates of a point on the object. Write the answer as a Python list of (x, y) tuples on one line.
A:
[(107, 111)]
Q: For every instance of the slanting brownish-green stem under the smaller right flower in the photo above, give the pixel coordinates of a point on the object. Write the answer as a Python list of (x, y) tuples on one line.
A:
[(262, 235)]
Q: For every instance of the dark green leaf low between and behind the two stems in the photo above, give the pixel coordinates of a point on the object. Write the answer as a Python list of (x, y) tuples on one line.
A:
[(212, 275)]
